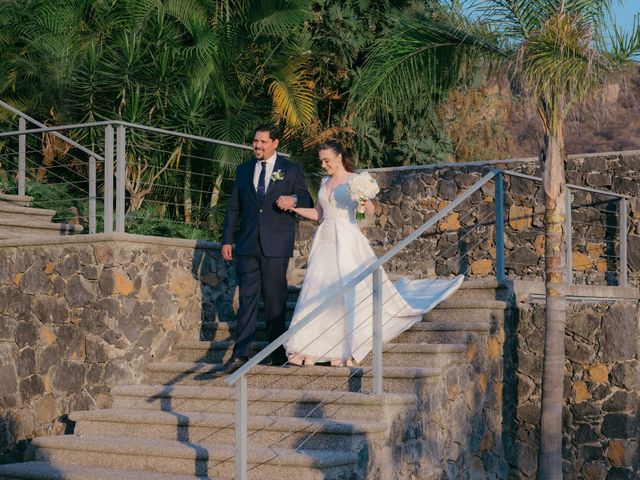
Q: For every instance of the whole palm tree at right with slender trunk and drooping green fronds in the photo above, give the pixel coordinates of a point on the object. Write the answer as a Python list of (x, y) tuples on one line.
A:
[(558, 50)]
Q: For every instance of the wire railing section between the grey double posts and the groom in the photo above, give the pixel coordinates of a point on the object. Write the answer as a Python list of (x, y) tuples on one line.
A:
[(177, 186)]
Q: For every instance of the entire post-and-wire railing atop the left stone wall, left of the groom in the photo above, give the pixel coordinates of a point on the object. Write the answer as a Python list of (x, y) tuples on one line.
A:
[(129, 178)]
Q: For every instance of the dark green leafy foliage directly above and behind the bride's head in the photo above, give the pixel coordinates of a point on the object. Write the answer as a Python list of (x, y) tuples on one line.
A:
[(344, 32)]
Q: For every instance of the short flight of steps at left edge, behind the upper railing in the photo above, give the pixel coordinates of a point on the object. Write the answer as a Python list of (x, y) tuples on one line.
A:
[(19, 220)]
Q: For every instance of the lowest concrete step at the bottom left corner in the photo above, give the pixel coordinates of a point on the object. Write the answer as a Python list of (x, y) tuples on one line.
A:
[(46, 471)]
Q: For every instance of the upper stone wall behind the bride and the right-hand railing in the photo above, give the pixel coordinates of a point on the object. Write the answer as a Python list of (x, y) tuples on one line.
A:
[(464, 241)]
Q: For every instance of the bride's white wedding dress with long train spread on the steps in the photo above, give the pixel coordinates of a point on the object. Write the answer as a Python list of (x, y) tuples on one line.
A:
[(338, 253)]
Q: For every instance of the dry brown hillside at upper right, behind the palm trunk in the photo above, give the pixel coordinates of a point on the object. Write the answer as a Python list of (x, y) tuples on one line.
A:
[(494, 122)]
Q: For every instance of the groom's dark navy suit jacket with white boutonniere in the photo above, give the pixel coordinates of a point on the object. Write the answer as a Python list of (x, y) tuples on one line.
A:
[(249, 221)]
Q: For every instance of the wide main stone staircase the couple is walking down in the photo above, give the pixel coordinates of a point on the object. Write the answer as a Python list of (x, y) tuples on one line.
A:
[(304, 422)]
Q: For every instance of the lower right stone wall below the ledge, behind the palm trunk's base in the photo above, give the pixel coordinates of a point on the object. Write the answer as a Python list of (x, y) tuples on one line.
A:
[(601, 388)]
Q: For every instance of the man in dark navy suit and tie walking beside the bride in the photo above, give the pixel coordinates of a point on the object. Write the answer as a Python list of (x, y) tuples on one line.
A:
[(264, 235)]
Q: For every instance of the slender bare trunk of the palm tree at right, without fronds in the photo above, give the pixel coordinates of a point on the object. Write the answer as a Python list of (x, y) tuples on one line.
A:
[(554, 185)]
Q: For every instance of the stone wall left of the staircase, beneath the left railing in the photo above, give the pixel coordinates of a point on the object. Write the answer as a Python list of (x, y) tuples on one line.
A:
[(84, 314)]
